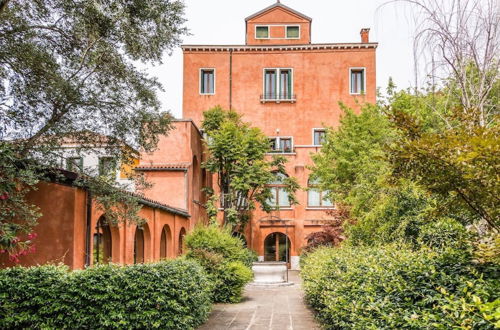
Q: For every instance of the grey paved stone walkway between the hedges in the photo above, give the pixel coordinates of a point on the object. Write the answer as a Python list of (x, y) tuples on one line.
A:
[(263, 308)]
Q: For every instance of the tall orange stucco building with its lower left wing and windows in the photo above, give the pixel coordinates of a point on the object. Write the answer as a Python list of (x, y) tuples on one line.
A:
[(289, 87)]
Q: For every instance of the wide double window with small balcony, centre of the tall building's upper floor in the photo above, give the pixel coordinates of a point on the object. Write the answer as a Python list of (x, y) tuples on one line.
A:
[(278, 84)]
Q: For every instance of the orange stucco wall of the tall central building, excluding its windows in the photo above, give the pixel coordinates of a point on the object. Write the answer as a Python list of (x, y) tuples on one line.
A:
[(321, 79)]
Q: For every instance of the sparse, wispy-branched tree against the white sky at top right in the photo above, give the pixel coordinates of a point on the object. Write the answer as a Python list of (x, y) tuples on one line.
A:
[(460, 40)]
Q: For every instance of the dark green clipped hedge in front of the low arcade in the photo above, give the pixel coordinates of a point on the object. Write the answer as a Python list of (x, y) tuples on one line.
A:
[(167, 295)]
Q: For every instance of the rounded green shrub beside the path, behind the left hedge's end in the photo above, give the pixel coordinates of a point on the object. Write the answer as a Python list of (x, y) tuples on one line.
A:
[(224, 258)]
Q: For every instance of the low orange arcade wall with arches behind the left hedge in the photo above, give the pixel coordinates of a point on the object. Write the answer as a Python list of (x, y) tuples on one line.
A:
[(62, 230)]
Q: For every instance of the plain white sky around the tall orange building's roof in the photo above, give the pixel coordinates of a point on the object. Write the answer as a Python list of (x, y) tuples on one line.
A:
[(219, 22)]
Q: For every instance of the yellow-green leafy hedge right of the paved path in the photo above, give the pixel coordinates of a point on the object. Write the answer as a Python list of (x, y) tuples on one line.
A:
[(394, 287)]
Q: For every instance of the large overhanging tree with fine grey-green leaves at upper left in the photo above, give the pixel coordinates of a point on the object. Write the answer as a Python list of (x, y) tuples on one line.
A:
[(68, 68)]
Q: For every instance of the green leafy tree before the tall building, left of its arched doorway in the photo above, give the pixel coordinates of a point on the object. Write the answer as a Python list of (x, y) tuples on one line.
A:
[(237, 155)]
